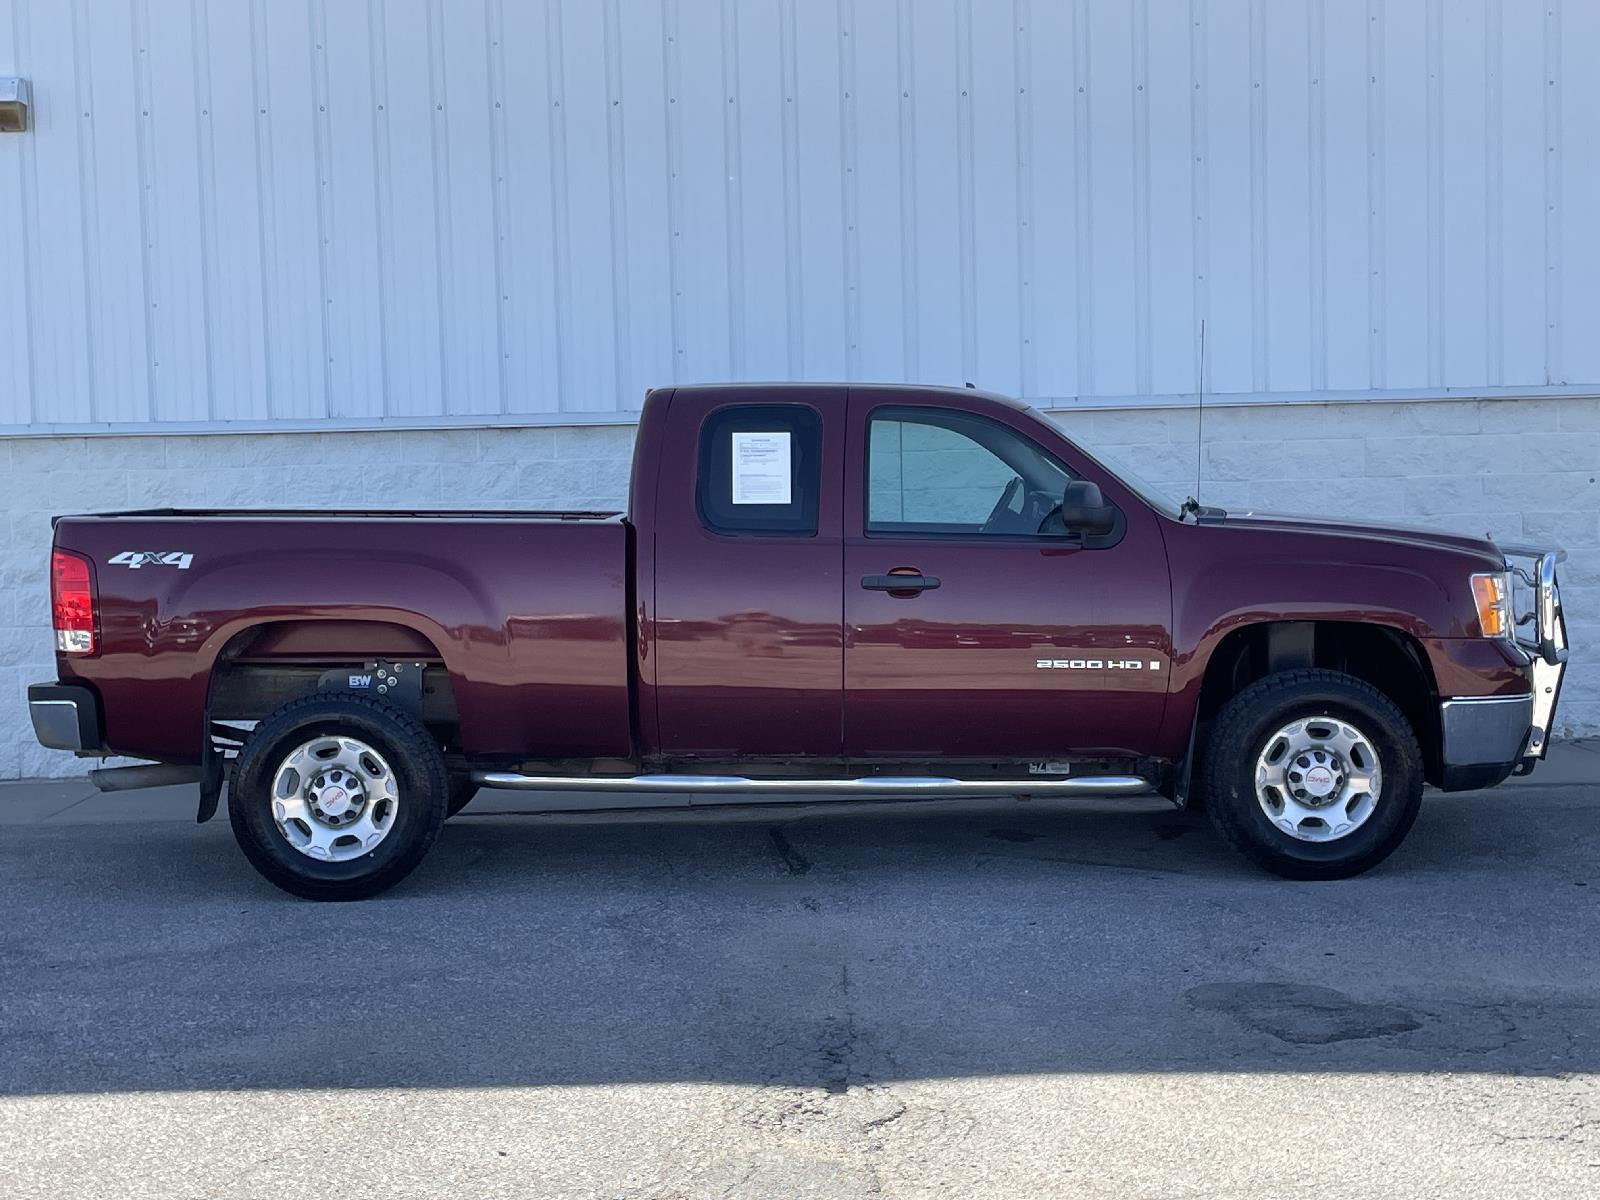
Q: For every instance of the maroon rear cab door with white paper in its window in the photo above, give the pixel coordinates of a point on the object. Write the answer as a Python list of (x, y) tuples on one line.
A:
[(745, 644)]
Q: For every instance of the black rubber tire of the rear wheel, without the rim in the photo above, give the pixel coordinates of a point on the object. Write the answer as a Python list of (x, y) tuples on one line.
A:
[(412, 756)]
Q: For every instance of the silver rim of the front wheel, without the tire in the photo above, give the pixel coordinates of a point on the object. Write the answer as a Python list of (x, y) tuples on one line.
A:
[(1319, 780)]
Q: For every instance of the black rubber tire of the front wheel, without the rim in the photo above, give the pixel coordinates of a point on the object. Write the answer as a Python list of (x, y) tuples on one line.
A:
[(1241, 735)]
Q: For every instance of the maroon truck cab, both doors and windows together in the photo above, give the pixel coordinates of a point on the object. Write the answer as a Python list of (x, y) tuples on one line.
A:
[(918, 593)]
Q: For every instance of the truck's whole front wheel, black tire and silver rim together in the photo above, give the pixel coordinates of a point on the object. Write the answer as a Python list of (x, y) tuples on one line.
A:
[(1313, 775)]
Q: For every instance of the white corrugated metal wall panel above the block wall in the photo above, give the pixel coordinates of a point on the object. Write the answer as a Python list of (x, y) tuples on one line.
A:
[(430, 212)]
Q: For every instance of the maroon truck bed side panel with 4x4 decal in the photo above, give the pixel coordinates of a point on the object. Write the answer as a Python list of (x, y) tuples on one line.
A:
[(527, 612)]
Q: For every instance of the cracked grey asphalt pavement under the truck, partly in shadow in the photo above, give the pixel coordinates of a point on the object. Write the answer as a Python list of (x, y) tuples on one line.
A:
[(977, 1001)]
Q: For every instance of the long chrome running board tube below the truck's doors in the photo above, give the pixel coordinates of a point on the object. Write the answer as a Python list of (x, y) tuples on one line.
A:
[(882, 785)]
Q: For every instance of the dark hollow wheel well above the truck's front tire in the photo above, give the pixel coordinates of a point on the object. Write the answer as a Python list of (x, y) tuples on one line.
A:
[(1388, 658)]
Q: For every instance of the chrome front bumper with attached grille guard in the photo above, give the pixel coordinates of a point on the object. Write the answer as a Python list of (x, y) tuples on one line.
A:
[(1487, 738)]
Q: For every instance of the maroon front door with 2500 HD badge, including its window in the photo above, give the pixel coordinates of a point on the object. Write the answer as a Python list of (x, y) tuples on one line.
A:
[(977, 626)]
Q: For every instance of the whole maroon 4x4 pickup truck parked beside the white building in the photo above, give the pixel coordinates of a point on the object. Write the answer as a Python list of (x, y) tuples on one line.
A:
[(818, 591)]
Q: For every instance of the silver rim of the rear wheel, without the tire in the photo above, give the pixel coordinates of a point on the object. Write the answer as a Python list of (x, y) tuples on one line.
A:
[(335, 799)]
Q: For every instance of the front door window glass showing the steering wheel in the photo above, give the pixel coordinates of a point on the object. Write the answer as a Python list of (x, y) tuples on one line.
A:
[(950, 473)]
